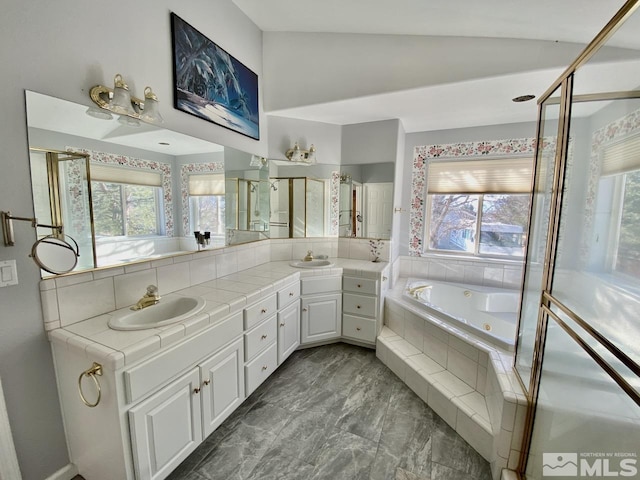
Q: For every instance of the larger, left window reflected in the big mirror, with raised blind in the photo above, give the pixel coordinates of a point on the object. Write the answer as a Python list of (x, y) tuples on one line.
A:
[(126, 202)]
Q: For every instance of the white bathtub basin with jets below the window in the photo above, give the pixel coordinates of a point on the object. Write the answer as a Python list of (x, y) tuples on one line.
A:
[(487, 312)]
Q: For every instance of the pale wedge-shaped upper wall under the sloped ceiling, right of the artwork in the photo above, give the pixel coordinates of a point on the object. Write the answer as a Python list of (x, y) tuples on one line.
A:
[(307, 69)]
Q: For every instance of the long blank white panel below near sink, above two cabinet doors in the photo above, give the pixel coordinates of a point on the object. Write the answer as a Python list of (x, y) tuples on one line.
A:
[(151, 373)]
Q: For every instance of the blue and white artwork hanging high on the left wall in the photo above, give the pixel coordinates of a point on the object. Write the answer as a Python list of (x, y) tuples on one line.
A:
[(211, 84)]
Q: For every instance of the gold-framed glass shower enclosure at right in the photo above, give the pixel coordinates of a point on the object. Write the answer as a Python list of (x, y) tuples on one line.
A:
[(578, 346)]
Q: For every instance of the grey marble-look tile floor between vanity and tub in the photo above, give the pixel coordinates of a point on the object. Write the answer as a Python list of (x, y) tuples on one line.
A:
[(333, 412)]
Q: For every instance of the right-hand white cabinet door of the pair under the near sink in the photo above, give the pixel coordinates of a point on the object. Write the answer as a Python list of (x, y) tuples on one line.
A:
[(222, 385)]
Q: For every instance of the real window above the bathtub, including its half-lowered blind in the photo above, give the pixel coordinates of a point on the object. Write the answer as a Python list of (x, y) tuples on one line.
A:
[(479, 207)]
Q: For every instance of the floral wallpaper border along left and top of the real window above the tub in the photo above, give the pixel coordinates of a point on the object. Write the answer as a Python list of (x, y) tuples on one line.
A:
[(425, 153)]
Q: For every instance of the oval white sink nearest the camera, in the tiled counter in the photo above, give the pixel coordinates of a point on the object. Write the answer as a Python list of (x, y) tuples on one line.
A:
[(167, 311)]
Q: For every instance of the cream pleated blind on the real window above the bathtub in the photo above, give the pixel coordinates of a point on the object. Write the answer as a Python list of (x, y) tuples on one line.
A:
[(512, 175)]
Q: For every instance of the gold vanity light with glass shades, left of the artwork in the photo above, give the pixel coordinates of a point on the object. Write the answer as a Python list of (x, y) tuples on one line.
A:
[(120, 101)]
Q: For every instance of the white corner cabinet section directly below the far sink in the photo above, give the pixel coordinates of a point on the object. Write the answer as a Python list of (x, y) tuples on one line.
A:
[(321, 309)]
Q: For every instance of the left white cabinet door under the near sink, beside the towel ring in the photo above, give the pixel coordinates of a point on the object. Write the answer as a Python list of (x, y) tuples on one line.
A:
[(166, 427)]
